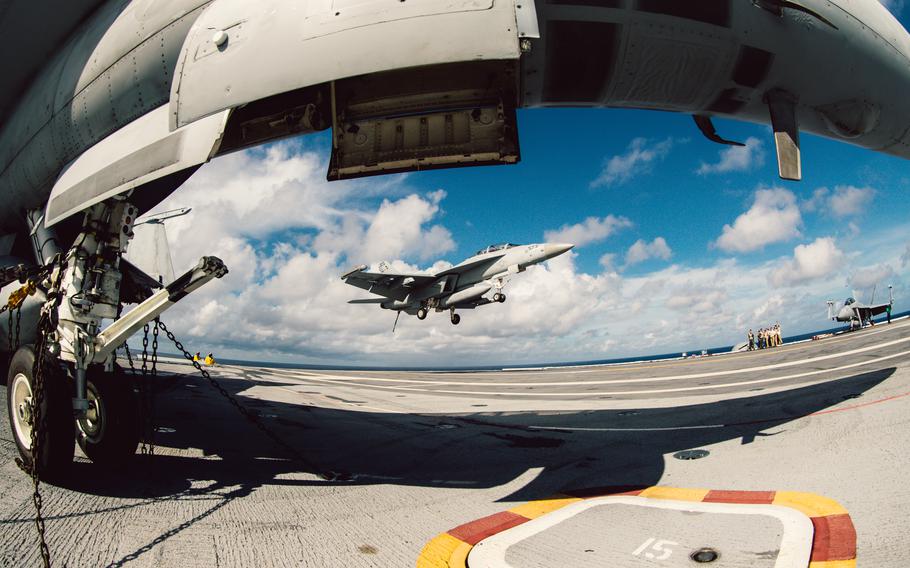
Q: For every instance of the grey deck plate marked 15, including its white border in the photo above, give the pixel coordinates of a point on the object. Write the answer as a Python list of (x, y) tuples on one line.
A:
[(635, 531)]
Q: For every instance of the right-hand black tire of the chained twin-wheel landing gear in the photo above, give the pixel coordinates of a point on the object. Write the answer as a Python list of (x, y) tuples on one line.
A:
[(109, 432)]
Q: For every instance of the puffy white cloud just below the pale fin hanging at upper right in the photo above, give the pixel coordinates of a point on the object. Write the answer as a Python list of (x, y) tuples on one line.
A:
[(774, 217)]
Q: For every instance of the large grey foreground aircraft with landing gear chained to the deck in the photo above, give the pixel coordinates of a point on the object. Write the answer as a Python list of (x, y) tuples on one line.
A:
[(107, 106)]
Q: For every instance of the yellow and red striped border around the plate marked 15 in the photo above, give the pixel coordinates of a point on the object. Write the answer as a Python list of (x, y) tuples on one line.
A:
[(833, 542)]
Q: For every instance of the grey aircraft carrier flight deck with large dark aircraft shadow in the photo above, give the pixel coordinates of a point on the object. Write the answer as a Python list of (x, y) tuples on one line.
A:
[(424, 453)]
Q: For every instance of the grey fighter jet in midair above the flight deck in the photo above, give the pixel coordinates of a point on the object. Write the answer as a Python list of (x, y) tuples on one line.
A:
[(464, 286)]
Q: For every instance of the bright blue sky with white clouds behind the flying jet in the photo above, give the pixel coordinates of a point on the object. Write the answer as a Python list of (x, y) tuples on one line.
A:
[(705, 243)]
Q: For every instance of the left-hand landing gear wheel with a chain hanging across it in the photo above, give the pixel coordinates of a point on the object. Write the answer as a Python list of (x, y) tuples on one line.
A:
[(56, 412)]
